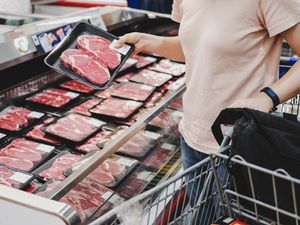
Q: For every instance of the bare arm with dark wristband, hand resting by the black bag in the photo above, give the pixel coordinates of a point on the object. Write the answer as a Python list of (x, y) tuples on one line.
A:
[(287, 87)]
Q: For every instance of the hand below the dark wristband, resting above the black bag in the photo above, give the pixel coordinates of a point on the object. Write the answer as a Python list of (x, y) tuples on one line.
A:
[(261, 102)]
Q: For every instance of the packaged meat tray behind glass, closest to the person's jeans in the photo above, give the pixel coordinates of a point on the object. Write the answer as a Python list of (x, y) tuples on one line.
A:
[(159, 157)]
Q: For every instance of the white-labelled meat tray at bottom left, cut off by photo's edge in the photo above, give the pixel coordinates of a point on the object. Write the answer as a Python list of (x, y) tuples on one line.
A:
[(14, 178)]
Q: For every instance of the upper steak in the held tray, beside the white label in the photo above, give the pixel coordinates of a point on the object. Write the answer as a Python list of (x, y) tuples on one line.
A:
[(99, 47)]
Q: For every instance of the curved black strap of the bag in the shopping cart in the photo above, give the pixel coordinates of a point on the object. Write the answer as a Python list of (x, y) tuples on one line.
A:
[(227, 116)]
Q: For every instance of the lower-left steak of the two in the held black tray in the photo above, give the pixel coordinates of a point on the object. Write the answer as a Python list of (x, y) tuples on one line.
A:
[(85, 65)]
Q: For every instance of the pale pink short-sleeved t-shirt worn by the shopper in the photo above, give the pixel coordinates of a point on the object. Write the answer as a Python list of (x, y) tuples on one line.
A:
[(232, 50)]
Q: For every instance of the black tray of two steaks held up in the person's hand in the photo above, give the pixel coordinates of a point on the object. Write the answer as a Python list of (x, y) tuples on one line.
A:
[(88, 55)]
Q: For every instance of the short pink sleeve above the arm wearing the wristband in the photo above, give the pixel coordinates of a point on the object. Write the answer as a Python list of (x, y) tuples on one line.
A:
[(279, 15)]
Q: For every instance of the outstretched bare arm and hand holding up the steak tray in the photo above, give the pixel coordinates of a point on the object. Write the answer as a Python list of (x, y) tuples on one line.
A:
[(168, 47)]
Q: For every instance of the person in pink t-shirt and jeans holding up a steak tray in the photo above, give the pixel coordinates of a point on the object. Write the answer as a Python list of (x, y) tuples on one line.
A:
[(231, 49)]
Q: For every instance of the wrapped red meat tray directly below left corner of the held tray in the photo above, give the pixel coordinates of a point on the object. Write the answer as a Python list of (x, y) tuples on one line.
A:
[(53, 97)]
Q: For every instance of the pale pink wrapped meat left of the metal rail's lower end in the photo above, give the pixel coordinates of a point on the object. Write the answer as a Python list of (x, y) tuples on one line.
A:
[(59, 165)]
